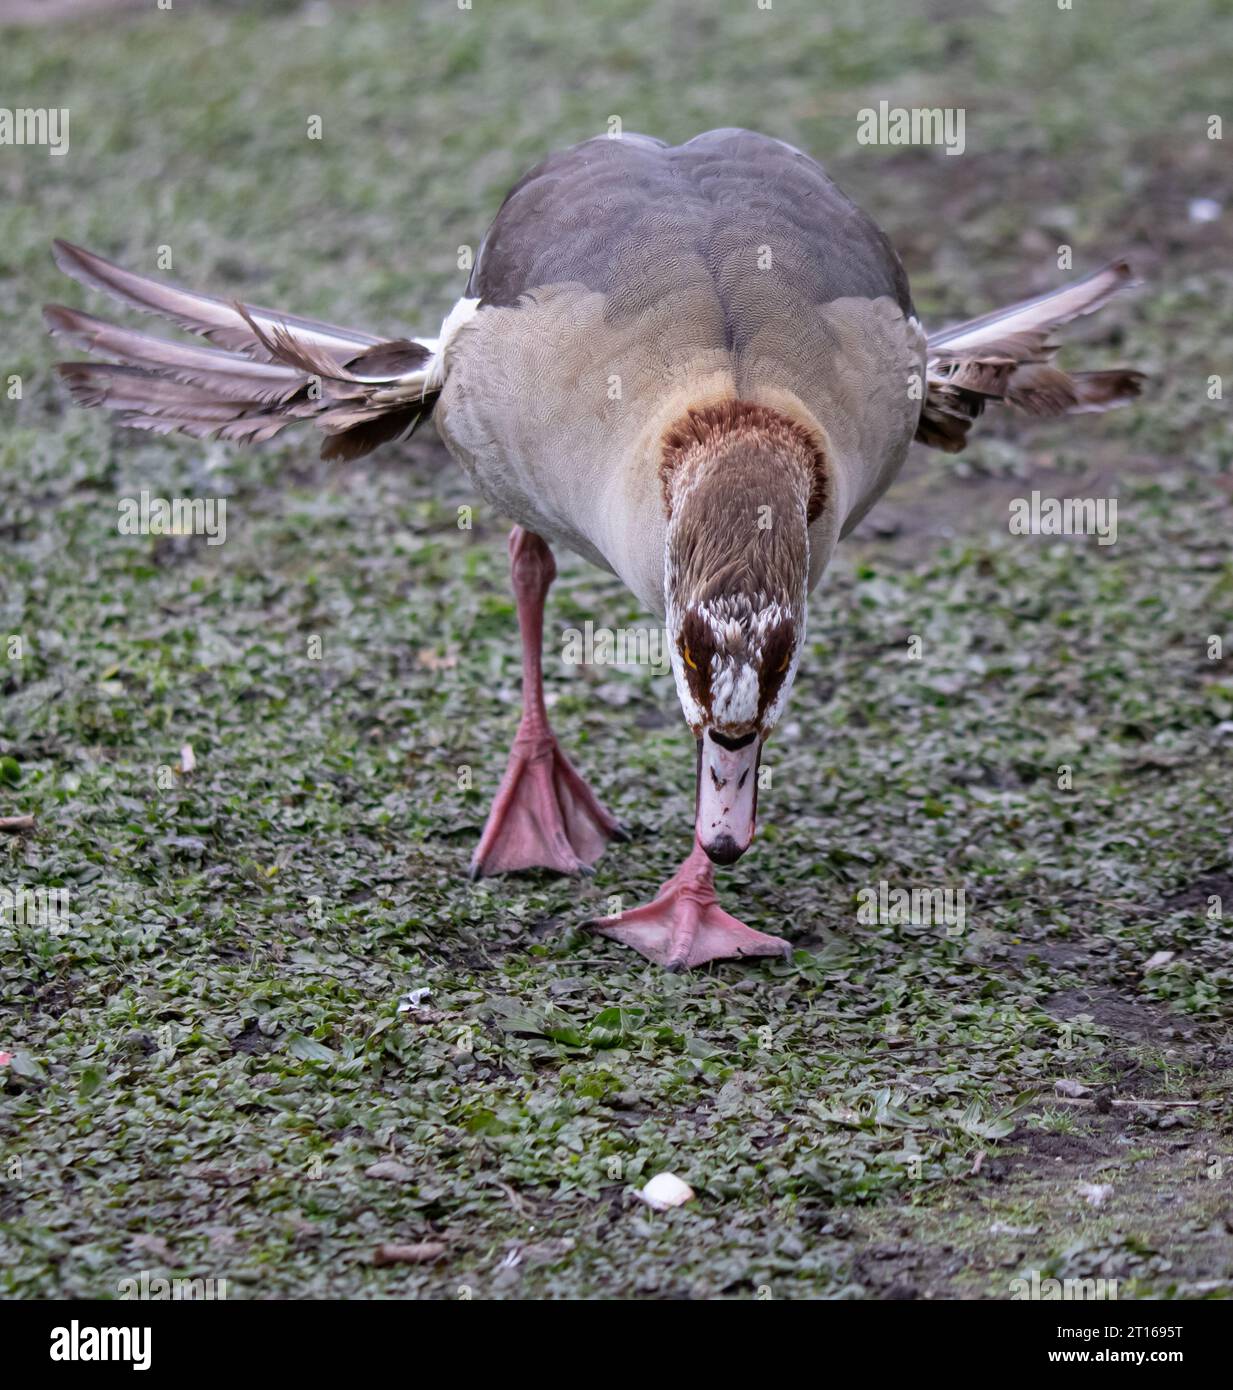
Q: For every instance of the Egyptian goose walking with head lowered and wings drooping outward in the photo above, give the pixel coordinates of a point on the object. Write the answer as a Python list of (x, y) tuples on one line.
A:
[(697, 366)]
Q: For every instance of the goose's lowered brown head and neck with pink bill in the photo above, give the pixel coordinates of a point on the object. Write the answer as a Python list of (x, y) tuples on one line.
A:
[(740, 486)]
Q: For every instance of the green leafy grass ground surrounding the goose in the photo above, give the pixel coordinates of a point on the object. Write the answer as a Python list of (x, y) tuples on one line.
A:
[(209, 1063)]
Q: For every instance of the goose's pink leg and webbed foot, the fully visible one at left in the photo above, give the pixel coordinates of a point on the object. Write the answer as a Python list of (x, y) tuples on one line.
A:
[(544, 814)]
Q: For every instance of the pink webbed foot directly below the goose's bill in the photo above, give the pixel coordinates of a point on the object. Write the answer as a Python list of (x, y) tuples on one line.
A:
[(686, 926)]
